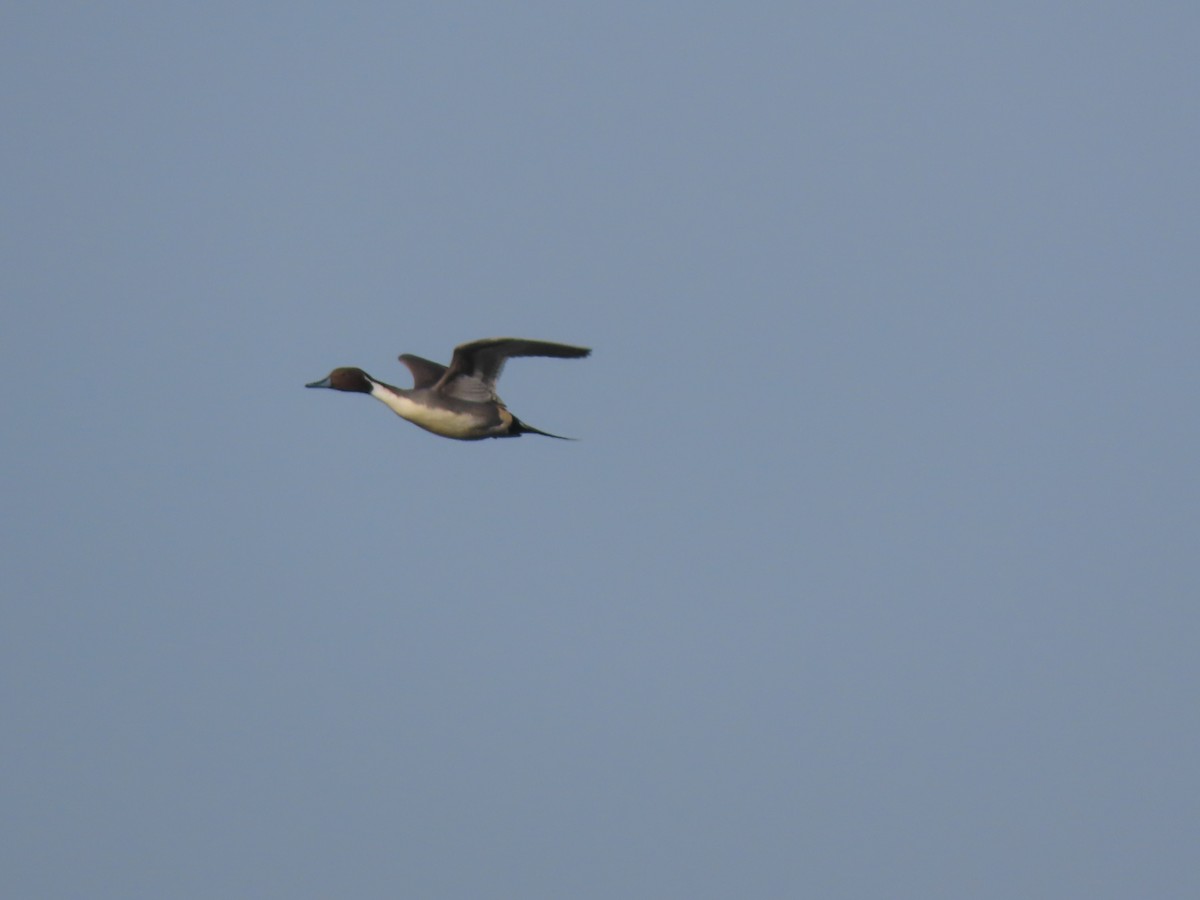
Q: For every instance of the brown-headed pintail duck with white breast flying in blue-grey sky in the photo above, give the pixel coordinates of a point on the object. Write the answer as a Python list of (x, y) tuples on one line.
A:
[(458, 401)]
